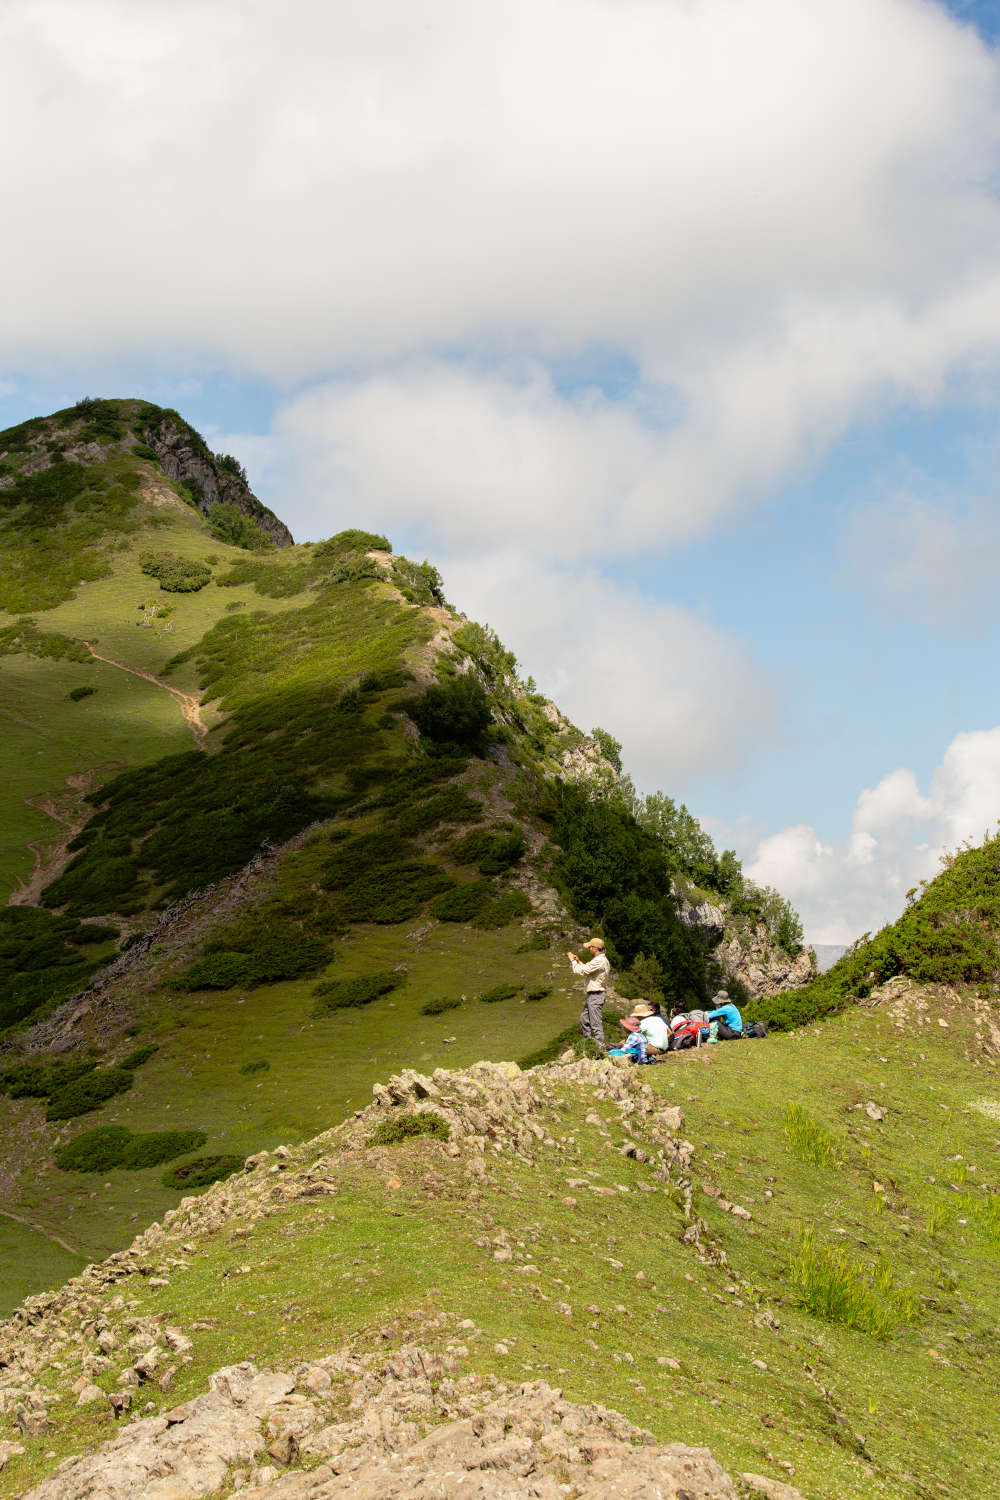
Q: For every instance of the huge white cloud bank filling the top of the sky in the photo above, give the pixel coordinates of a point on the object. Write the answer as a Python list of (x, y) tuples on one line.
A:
[(780, 211)]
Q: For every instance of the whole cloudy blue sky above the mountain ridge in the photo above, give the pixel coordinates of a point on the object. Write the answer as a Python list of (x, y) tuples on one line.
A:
[(669, 331)]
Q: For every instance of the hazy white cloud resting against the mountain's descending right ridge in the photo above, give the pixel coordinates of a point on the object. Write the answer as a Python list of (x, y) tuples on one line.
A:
[(680, 695)]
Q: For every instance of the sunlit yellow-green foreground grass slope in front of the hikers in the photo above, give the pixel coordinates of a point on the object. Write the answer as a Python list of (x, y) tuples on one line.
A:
[(848, 1414)]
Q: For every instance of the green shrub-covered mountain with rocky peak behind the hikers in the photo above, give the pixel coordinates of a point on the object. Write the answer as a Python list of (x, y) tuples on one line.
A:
[(365, 805)]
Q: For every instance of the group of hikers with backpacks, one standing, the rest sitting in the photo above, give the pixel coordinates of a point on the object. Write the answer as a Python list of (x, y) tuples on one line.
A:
[(650, 1034)]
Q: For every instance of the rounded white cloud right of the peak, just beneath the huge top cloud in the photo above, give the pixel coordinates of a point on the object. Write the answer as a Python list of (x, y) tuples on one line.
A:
[(467, 455)]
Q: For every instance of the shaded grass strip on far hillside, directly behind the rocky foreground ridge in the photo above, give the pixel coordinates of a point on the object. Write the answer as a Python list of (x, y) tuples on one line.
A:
[(319, 1070)]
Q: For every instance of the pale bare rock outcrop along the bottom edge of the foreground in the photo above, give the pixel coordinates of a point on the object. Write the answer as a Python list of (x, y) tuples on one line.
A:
[(410, 1430)]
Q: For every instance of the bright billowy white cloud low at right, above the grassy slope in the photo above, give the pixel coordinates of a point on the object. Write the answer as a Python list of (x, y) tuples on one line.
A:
[(897, 839)]
